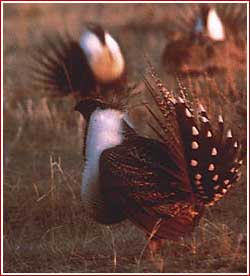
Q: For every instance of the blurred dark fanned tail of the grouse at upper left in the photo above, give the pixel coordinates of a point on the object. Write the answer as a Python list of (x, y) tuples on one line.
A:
[(61, 68)]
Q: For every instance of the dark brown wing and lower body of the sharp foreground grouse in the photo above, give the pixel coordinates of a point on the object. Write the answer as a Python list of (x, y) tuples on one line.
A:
[(143, 178)]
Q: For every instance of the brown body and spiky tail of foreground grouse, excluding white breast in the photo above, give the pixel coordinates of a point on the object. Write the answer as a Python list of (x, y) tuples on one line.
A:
[(192, 165)]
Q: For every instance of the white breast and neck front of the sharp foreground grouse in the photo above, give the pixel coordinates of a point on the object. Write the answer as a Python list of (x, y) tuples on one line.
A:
[(104, 131)]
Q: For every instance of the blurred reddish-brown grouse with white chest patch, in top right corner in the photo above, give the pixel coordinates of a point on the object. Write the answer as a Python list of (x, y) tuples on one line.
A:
[(206, 38)]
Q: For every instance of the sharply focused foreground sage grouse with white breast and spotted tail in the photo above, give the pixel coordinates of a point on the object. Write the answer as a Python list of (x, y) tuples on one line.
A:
[(162, 186)]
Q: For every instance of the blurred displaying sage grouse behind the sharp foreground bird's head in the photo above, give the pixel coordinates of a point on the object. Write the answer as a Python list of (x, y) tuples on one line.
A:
[(83, 68)]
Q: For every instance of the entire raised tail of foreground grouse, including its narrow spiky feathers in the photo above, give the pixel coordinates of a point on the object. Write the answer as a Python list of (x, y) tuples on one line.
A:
[(209, 153)]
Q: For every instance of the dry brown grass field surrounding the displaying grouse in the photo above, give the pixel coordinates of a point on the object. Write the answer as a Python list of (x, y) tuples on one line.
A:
[(45, 227)]
